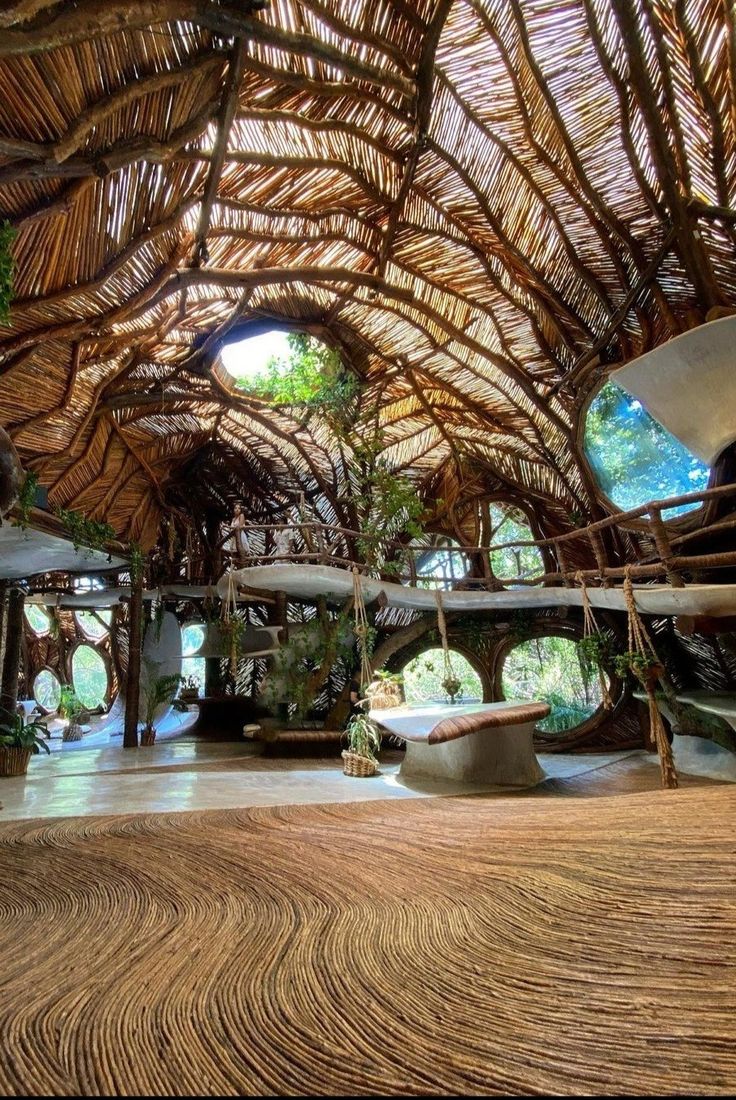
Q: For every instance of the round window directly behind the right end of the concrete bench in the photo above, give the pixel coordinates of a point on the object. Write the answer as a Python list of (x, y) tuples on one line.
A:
[(550, 669)]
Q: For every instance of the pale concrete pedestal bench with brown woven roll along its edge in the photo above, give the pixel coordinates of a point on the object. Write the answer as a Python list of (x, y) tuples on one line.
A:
[(479, 743)]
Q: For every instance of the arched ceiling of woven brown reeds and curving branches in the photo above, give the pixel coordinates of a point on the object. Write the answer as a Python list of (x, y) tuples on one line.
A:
[(482, 203)]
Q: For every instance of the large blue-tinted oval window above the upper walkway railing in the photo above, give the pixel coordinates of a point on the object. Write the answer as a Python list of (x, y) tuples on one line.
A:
[(634, 458)]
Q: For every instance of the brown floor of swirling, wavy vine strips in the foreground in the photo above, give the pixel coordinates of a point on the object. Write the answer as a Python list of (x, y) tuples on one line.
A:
[(433, 947)]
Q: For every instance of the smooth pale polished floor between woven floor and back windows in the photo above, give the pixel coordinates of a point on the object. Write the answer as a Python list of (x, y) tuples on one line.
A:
[(185, 775)]
